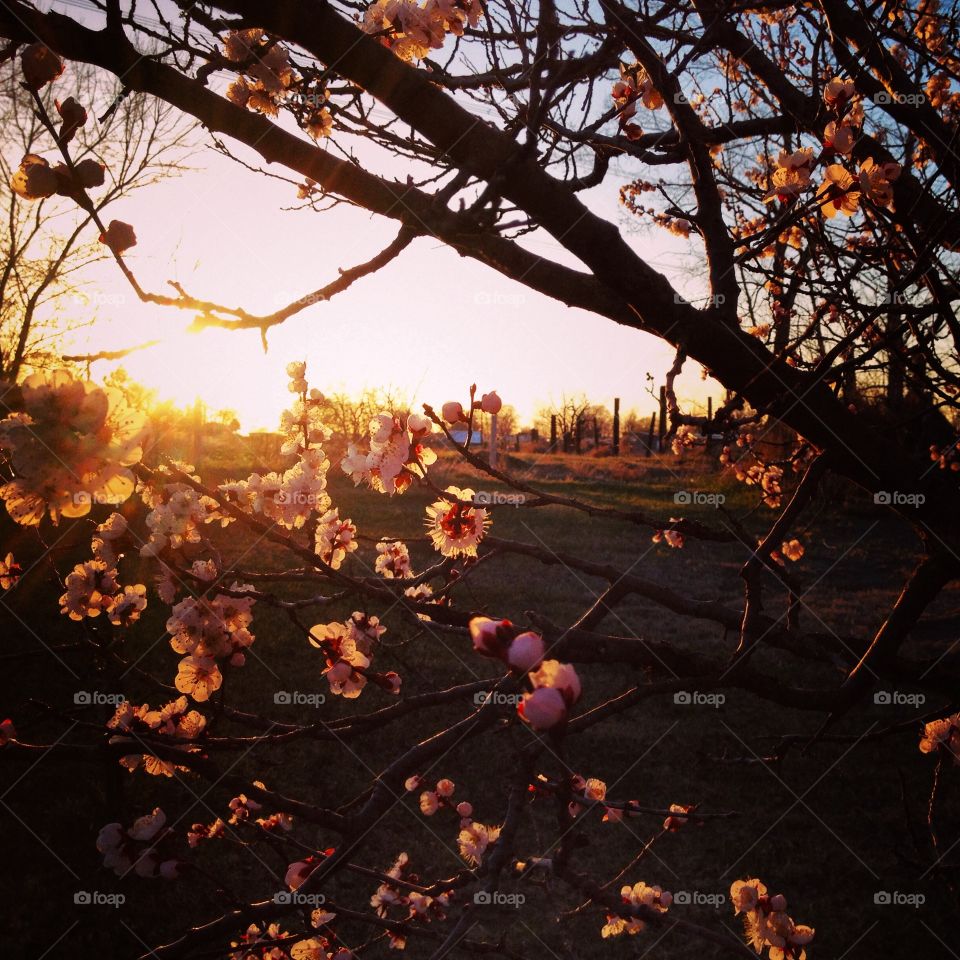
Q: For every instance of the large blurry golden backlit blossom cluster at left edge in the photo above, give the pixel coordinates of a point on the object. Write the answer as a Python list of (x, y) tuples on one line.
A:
[(70, 444)]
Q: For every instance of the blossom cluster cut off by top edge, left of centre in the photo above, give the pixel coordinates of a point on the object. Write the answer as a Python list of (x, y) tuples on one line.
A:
[(411, 30)]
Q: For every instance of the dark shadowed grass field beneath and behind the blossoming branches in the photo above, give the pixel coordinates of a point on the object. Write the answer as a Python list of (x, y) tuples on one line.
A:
[(830, 827)]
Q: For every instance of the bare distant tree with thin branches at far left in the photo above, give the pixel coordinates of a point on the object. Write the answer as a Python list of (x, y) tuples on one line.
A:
[(47, 245)]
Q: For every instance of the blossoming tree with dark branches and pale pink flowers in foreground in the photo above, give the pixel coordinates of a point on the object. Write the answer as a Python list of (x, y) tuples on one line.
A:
[(806, 153)]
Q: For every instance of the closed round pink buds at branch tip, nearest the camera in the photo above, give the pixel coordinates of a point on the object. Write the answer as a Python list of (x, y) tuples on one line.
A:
[(555, 686)]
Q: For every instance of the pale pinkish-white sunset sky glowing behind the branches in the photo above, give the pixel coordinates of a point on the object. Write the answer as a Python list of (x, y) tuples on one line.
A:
[(430, 323)]
